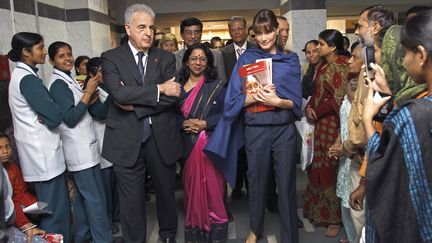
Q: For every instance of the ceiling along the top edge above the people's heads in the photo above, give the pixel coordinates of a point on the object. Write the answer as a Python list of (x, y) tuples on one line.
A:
[(215, 13)]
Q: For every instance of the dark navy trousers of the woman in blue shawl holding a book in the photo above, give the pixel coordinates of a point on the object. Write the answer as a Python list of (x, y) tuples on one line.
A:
[(266, 145)]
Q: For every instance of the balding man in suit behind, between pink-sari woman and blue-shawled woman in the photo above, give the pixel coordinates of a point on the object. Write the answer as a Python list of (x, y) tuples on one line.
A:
[(238, 32)]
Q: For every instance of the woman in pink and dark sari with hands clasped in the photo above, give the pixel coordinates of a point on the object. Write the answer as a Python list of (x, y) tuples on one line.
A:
[(201, 105)]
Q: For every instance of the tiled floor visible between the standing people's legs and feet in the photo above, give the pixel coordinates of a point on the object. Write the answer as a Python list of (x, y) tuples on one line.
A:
[(238, 229)]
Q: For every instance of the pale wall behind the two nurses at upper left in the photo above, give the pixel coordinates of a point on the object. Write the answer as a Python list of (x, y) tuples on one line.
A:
[(85, 37)]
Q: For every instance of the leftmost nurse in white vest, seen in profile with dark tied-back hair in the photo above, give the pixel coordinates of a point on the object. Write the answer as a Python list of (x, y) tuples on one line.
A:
[(36, 118)]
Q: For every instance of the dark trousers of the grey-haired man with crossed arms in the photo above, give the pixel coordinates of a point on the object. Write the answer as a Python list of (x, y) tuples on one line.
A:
[(131, 188)]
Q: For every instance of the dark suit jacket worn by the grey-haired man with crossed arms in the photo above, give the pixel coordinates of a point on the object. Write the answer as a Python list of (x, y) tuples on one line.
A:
[(124, 129)]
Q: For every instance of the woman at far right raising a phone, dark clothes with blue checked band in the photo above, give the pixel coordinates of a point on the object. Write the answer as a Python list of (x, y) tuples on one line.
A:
[(398, 176)]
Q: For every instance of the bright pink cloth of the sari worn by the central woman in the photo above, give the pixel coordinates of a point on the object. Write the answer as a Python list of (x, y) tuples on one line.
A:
[(203, 183)]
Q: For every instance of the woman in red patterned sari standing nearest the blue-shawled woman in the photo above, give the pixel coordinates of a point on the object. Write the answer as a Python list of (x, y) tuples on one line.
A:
[(322, 206)]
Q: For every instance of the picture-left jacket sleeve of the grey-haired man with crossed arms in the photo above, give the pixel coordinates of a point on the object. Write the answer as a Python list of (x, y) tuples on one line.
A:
[(122, 92)]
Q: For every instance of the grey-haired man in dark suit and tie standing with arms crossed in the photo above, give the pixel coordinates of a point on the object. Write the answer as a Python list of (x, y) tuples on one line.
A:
[(141, 131)]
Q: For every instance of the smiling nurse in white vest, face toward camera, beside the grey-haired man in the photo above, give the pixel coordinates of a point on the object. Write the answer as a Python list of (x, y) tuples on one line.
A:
[(80, 145)]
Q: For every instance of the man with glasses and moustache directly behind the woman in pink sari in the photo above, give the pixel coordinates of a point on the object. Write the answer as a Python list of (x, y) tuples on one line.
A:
[(191, 32)]
